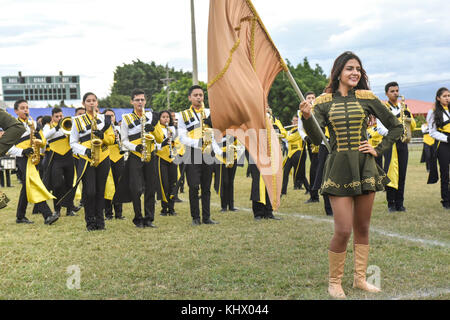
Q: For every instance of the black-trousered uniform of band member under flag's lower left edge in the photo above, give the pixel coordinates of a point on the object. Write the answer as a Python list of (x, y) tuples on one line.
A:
[(224, 175)]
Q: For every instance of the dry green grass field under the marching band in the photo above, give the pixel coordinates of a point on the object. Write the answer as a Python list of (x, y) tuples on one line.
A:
[(238, 259)]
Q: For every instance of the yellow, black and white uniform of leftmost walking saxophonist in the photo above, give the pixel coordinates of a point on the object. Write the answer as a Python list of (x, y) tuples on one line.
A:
[(33, 189)]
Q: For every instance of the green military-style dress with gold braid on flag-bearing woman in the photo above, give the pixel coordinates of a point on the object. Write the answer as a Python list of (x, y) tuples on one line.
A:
[(347, 171)]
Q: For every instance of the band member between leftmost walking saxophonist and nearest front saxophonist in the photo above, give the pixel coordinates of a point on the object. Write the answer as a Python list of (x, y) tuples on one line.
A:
[(59, 167)]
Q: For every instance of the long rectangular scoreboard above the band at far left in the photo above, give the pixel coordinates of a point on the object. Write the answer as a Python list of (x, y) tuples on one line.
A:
[(41, 88)]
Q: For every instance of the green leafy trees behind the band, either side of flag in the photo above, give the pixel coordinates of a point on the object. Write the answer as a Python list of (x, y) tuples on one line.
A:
[(138, 74)]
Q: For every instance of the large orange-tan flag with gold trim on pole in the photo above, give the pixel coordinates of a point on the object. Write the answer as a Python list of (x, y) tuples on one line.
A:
[(242, 65)]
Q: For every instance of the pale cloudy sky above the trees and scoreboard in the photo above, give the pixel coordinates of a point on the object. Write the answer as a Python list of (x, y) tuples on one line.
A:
[(405, 41)]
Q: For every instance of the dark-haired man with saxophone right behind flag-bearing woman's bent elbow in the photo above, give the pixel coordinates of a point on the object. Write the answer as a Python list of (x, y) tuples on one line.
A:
[(396, 159)]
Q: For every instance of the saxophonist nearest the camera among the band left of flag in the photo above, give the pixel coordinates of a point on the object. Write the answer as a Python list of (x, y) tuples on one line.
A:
[(89, 138)]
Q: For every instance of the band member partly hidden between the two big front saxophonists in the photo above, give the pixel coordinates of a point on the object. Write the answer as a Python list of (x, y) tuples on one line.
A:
[(116, 159)]
